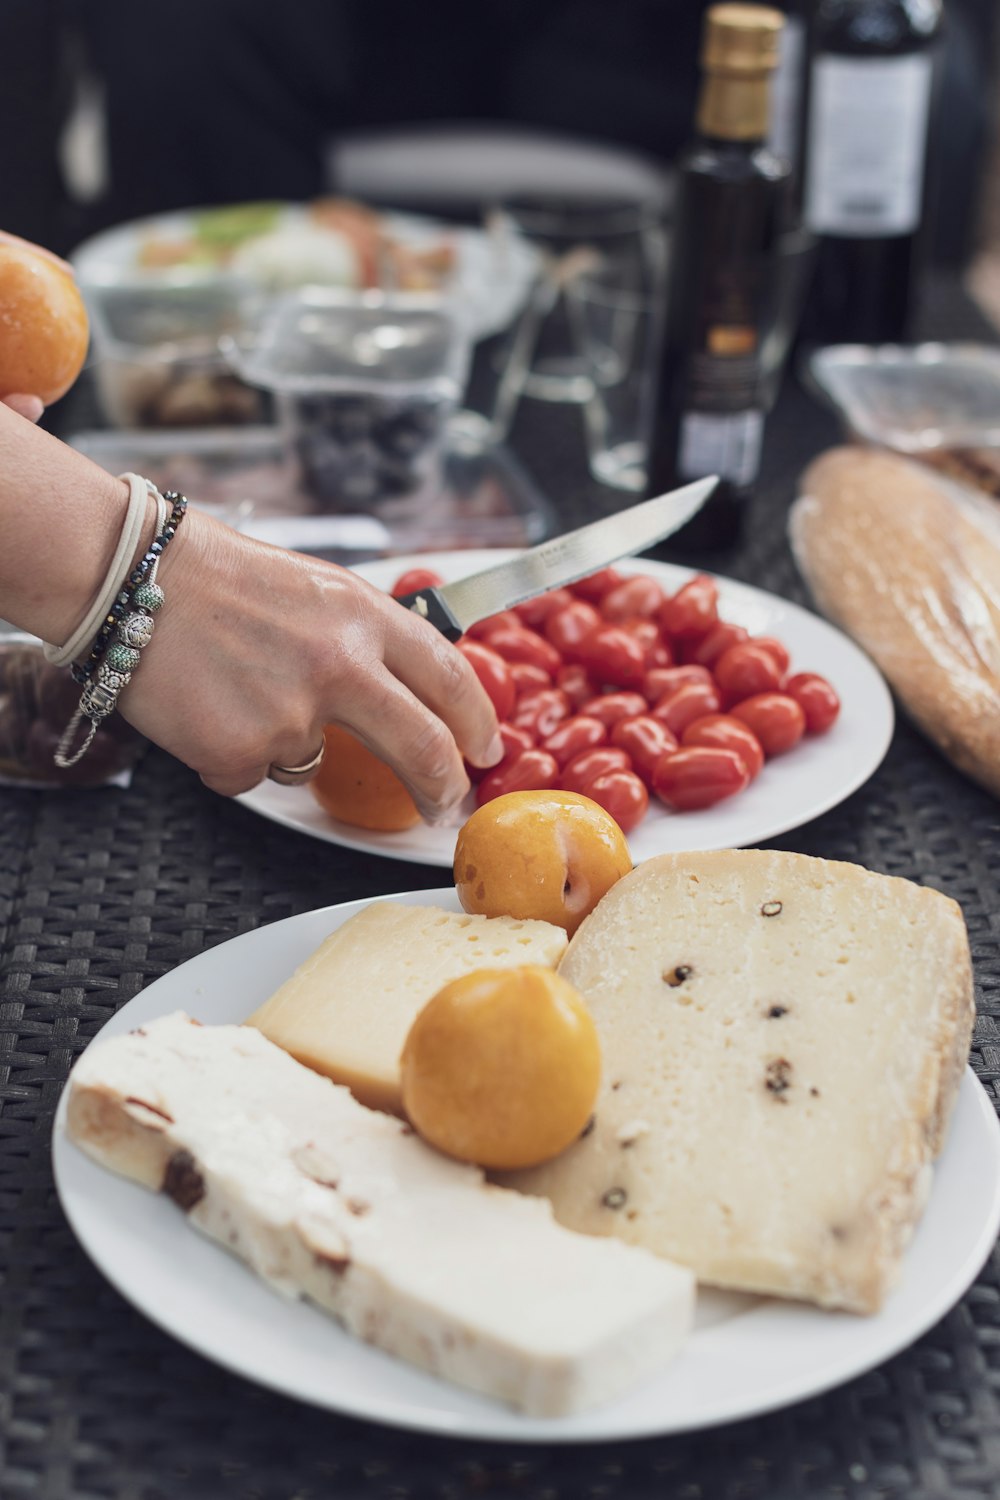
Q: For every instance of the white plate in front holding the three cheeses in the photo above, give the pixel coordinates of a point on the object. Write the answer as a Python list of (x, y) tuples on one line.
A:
[(746, 1357)]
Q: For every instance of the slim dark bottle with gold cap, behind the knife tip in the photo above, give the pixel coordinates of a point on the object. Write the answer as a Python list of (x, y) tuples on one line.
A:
[(731, 212)]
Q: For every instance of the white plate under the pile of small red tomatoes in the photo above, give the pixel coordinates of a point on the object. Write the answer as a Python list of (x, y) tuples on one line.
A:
[(791, 791)]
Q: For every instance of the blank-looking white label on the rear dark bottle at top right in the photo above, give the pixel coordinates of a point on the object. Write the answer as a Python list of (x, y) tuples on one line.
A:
[(867, 140)]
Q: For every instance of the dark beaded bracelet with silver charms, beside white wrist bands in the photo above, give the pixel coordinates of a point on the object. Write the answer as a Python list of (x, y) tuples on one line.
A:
[(112, 662)]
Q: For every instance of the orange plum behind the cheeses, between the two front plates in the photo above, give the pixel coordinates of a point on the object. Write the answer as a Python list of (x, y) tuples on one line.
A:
[(546, 856)]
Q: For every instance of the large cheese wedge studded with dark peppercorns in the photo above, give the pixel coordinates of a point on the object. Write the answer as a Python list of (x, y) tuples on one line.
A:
[(782, 1042)]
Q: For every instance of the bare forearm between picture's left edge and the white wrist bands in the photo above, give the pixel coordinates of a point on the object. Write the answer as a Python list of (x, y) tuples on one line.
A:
[(61, 518)]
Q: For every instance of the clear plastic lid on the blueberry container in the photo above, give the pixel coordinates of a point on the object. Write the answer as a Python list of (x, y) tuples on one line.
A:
[(319, 343)]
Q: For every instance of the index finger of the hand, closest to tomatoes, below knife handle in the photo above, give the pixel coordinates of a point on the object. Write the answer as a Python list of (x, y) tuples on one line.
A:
[(442, 679)]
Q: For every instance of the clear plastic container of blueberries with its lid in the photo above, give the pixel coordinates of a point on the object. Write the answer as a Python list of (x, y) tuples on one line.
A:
[(365, 389)]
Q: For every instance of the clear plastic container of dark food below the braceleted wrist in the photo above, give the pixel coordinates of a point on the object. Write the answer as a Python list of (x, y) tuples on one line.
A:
[(37, 703)]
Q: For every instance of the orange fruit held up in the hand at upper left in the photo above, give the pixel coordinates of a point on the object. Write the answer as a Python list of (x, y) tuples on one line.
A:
[(44, 328)]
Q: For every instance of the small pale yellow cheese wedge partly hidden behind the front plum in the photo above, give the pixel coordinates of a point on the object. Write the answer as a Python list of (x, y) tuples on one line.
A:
[(347, 1010)]
